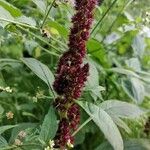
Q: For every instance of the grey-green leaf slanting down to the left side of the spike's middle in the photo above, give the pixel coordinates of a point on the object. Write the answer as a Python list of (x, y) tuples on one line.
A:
[(41, 70)]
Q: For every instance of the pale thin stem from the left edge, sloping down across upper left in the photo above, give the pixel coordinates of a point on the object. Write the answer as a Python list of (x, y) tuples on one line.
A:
[(18, 23)]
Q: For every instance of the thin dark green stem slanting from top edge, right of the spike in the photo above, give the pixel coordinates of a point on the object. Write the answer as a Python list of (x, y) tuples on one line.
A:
[(101, 19)]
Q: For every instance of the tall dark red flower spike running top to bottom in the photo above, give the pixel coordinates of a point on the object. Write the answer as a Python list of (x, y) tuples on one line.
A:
[(72, 73)]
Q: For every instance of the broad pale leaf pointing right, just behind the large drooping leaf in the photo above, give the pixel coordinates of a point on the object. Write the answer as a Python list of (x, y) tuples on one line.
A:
[(121, 109)]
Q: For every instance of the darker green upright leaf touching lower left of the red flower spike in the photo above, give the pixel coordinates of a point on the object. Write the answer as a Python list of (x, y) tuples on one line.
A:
[(49, 126)]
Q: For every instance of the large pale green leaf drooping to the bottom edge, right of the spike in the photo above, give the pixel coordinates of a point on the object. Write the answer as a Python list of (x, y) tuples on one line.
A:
[(105, 123)]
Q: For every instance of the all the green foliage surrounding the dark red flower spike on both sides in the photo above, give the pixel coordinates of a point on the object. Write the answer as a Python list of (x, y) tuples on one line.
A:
[(116, 96)]
